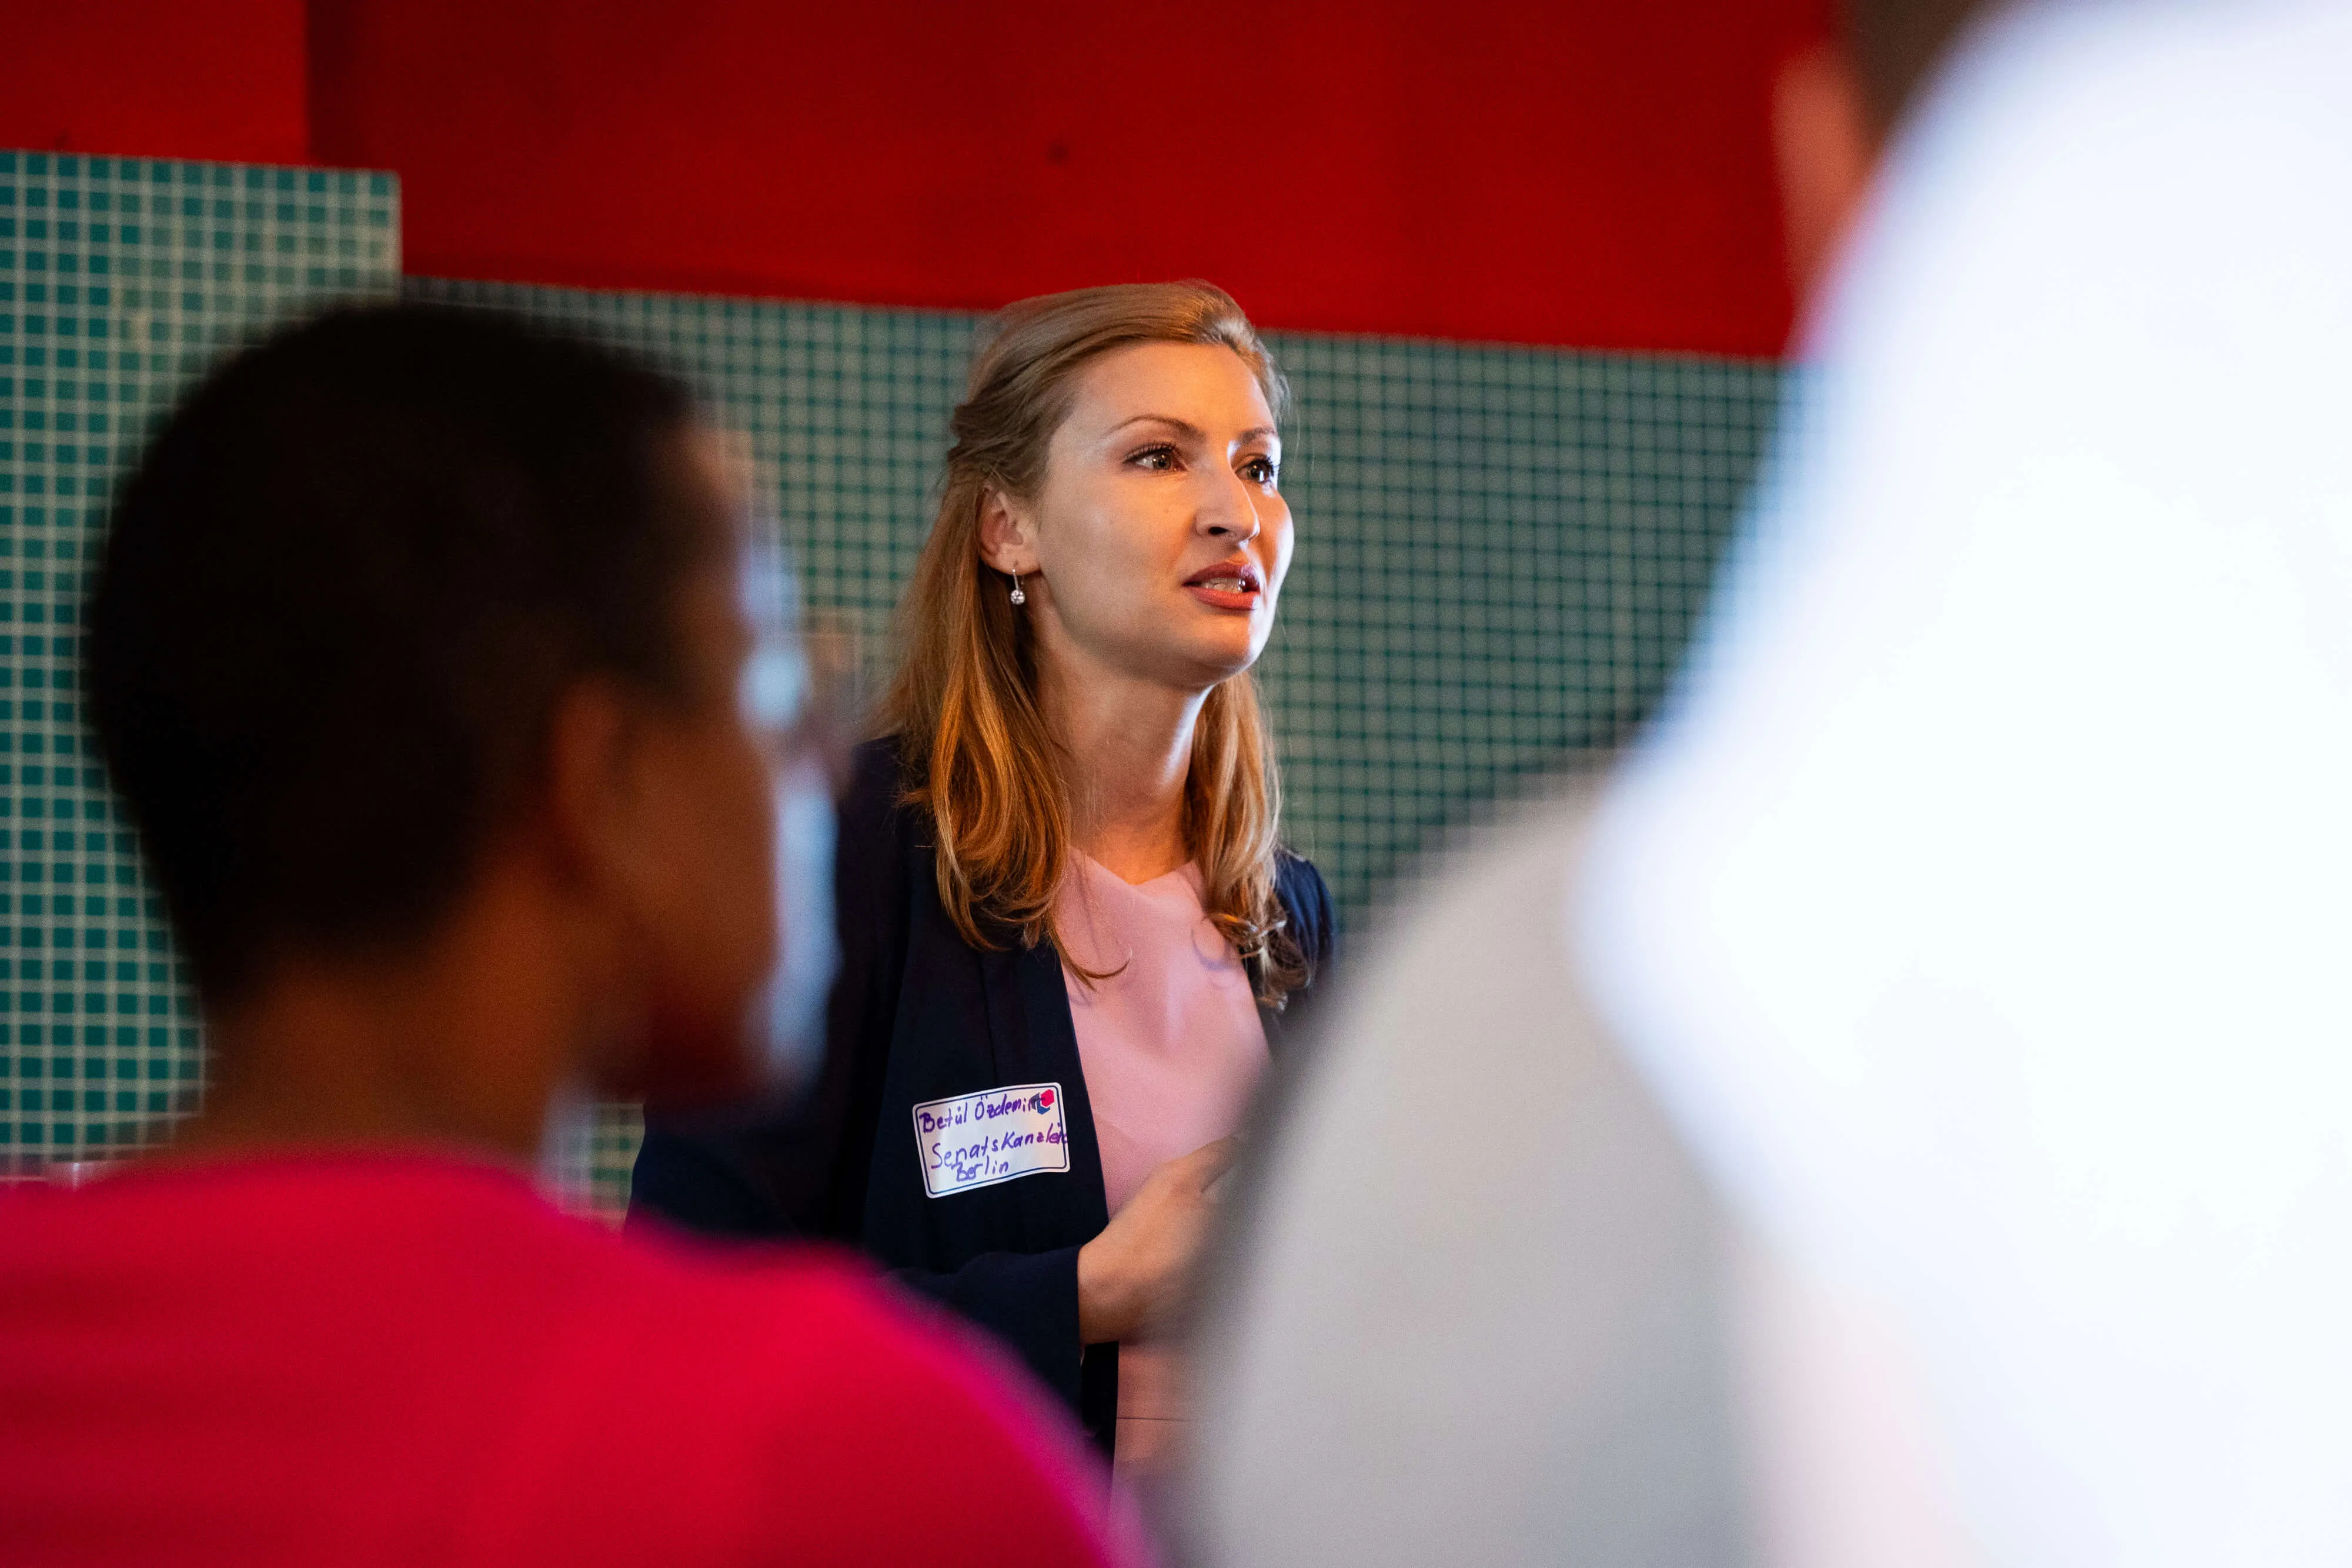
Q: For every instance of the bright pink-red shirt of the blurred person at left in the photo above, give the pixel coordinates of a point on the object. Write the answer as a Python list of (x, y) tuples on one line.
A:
[(408, 1360)]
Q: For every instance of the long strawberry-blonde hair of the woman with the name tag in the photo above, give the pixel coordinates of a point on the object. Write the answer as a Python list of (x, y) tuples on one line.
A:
[(980, 758)]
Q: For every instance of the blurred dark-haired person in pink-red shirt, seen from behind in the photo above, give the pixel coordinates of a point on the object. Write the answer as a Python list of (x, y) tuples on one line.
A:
[(422, 662)]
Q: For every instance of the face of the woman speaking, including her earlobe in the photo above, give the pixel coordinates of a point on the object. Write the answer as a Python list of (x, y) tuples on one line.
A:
[(1158, 542)]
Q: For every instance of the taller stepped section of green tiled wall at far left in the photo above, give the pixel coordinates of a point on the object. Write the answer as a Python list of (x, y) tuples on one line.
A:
[(119, 281)]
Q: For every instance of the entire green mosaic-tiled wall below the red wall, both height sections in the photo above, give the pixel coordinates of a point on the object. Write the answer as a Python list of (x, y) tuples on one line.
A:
[(1499, 556)]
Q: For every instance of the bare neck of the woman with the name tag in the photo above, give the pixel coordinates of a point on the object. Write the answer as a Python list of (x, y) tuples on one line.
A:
[(1128, 746)]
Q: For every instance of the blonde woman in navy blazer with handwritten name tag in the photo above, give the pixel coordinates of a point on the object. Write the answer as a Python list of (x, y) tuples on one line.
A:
[(1069, 930)]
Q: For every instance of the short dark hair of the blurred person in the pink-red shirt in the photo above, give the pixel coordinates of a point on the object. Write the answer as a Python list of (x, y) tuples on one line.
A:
[(340, 601)]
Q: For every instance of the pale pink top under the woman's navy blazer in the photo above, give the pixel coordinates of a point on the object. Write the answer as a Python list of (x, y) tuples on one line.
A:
[(1172, 1050)]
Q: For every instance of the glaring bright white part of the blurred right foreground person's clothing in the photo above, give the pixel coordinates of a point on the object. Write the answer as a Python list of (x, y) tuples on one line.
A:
[(1984, 909)]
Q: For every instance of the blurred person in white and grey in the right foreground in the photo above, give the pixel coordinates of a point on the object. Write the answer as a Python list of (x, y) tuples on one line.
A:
[(1904, 1120)]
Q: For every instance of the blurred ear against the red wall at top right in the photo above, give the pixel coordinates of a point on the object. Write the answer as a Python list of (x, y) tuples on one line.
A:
[(1829, 149)]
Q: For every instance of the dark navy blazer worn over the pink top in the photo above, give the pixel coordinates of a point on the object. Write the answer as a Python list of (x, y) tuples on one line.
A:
[(918, 1014)]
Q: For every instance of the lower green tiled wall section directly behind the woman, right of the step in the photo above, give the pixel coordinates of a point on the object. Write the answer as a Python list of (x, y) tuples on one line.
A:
[(1499, 549)]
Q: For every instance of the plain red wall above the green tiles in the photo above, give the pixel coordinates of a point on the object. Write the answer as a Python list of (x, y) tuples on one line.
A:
[(1589, 173)]
